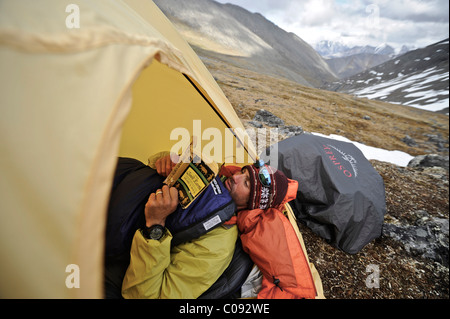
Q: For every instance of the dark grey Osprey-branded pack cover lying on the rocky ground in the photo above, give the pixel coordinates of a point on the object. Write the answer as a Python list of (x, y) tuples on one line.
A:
[(341, 197)]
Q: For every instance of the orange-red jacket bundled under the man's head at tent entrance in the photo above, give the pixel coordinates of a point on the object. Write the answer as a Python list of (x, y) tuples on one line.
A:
[(270, 240)]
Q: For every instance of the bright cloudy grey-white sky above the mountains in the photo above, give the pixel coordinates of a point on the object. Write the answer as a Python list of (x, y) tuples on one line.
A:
[(415, 23)]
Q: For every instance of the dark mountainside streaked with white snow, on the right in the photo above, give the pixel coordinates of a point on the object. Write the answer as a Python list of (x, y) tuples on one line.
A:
[(418, 78)]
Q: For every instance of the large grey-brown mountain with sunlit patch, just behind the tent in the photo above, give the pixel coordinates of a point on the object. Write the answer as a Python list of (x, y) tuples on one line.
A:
[(232, 34)]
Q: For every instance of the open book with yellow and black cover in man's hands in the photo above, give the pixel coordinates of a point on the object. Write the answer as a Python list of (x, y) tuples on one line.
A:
[(191, 175)]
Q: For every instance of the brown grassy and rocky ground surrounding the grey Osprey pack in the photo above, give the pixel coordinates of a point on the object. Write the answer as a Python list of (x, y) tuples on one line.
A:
[(411, 256)]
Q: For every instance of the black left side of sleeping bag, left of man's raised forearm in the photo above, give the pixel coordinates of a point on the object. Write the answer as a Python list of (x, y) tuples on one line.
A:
[(133, 183)]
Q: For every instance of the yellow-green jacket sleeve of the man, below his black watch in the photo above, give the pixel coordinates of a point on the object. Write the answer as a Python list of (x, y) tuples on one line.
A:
[(186, 271)]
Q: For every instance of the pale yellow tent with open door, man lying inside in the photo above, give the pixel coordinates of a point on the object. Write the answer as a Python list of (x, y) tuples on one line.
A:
[(80, 85)]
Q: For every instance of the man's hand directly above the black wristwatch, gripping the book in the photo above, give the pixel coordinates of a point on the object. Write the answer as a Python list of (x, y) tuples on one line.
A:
[(160, 205)]
